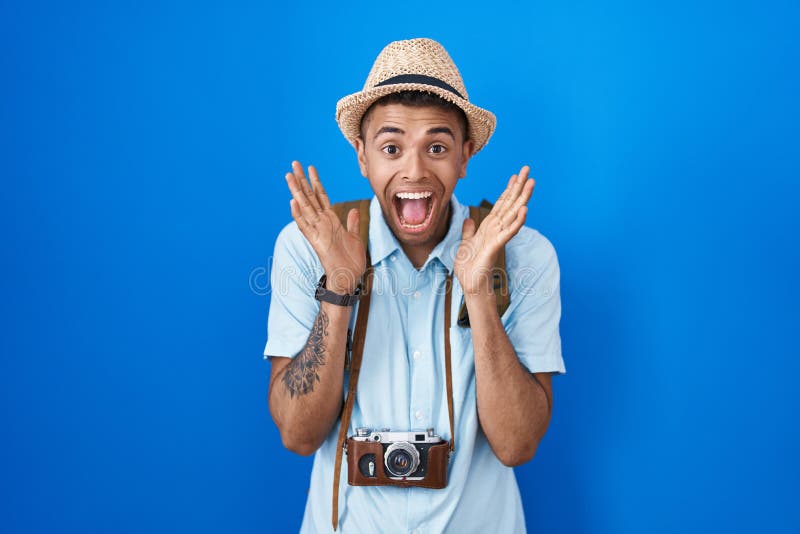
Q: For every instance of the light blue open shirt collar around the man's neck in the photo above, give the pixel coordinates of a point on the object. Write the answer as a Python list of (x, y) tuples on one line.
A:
[(383, 243)]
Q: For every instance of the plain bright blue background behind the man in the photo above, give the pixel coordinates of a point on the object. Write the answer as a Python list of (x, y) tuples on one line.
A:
[(143, 147)]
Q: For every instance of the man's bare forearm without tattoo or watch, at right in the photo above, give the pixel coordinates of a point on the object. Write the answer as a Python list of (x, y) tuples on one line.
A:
[(513, 406)]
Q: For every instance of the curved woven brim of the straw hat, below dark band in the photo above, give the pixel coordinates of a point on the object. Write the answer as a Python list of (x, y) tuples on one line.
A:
[(350, 110)]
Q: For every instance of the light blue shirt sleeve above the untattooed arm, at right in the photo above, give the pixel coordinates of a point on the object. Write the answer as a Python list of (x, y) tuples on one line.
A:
[(532, 319)]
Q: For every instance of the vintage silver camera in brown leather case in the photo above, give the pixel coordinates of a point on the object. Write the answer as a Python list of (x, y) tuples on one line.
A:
[(413, 458)]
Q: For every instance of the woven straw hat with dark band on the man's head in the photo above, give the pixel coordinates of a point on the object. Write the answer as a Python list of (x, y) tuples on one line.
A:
[(414, 65)]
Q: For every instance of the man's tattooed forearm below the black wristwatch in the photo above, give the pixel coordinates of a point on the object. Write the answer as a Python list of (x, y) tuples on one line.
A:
[(305, 393)]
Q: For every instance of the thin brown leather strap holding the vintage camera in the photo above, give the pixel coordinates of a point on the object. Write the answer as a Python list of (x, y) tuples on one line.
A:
[(355, 367)]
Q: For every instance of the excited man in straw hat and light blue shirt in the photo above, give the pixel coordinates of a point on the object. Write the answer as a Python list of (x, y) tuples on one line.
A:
[(414, 132)]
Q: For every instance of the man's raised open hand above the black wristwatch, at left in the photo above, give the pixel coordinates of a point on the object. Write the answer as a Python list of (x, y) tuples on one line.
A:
[(339, 249)]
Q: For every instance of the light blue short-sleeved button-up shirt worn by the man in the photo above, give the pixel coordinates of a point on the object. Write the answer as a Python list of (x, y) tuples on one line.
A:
[(402, 380)]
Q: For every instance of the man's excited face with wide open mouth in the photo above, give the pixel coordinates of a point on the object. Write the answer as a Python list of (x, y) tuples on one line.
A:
[(413, 158)]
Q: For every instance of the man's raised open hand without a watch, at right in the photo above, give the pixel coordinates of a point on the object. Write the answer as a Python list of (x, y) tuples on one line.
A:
[(478, 251)]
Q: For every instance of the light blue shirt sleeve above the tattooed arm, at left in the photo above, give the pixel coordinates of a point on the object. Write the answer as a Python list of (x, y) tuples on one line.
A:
[(294, 274)]
